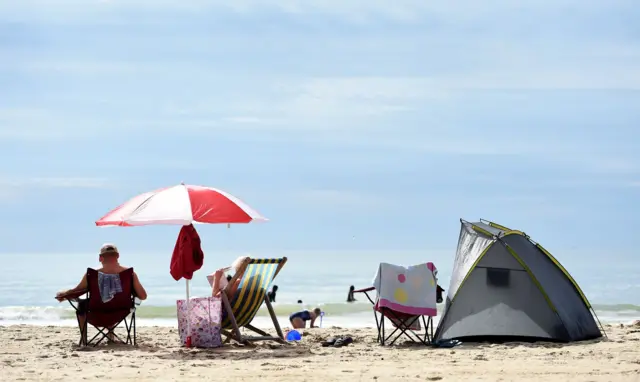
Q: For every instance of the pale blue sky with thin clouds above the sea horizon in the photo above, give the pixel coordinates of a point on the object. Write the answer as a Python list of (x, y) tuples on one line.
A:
[(351, 125)]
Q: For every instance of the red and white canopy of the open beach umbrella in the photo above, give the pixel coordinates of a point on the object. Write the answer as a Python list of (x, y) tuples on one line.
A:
[(181, 204)]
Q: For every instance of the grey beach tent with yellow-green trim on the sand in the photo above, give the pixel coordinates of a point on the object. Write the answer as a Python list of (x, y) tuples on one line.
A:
[(506, 286)]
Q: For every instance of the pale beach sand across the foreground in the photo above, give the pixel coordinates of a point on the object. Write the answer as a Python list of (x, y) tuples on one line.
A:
[(30, 353)]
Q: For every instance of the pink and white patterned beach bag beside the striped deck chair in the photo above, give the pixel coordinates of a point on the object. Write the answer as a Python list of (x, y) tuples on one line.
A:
[(203, 318)]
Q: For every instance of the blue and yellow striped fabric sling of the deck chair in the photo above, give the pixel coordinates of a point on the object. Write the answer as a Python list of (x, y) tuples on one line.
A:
[(250, 294)]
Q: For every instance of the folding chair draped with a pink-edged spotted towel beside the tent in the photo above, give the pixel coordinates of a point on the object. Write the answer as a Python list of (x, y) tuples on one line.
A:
[(405, 296)]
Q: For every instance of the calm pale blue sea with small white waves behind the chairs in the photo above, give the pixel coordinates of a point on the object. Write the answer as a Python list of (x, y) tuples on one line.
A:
[(30, 281)]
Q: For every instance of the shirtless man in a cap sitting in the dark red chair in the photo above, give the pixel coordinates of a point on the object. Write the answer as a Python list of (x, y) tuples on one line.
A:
[(109, 282)]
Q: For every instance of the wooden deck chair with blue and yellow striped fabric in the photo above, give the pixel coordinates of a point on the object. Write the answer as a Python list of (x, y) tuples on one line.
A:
[(240, 310)]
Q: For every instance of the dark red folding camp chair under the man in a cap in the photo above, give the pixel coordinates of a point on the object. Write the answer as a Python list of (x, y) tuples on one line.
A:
[(105, 317)]
